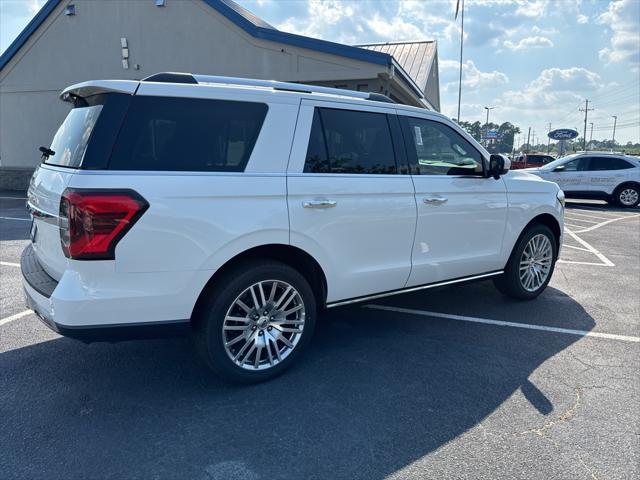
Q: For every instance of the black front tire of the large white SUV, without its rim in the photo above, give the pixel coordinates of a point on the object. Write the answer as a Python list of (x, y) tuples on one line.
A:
[(509, 283)]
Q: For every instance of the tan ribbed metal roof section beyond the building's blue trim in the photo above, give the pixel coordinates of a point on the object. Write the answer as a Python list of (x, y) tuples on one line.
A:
[(416, 58)]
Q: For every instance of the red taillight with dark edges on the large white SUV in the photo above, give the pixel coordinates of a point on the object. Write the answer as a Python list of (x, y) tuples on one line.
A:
[(92, 222)]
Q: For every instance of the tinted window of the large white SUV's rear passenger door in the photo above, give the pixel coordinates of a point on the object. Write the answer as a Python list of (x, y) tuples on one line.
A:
[(345, 141)]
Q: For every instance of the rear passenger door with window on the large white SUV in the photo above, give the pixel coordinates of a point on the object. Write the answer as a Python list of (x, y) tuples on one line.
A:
[(349, 205)]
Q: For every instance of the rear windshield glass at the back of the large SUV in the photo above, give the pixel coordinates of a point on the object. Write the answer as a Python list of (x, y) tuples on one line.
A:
[(71, 139)]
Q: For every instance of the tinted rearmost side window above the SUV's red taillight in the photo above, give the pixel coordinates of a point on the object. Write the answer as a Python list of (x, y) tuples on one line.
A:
[(186, 134)]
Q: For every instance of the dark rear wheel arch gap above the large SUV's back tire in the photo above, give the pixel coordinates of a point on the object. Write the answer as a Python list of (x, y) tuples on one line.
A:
[(295, 257)]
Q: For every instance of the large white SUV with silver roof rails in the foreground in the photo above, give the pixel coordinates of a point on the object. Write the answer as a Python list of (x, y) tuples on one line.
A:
[(237, 209)]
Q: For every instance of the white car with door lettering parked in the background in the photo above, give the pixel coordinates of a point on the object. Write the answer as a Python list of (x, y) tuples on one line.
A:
[(600, 175)]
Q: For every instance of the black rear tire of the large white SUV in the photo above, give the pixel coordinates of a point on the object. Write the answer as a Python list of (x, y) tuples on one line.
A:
[(219, 298)]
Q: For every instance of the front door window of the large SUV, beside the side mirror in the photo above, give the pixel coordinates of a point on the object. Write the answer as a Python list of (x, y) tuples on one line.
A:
[(436, 149)]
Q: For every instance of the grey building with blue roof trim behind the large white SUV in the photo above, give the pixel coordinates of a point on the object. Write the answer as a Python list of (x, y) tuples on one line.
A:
[(69, 41)]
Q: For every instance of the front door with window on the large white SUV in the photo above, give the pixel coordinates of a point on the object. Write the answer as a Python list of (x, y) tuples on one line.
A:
[(461, 214)]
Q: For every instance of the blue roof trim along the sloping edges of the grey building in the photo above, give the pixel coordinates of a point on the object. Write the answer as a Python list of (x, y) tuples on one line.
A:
[(251, 24)]
